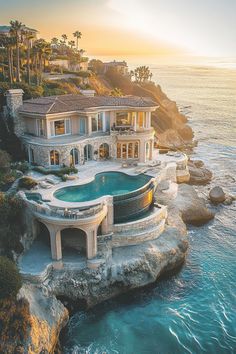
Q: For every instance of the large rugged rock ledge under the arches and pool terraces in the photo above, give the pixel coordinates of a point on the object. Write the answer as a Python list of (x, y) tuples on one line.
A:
[(131, 267)]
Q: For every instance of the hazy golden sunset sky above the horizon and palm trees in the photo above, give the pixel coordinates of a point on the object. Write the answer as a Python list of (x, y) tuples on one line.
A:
[(133, 27)]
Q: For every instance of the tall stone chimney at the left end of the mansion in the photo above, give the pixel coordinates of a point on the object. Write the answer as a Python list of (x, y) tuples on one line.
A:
[(14, 98)]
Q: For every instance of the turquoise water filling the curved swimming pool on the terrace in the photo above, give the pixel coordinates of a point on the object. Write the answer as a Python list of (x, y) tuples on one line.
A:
[(106, 183)]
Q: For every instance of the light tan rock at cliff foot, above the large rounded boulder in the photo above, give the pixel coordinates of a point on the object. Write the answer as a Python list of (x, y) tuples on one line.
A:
[(199, 174)]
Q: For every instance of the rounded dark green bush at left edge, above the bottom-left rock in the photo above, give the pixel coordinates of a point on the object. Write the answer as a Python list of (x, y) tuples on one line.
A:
[(10, 278)]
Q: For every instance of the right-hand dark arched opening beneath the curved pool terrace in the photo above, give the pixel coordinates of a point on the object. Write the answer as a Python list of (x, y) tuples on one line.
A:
[(74, 242)]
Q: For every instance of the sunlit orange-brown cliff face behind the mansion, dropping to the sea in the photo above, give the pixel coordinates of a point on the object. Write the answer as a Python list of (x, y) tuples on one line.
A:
[(170, 125)]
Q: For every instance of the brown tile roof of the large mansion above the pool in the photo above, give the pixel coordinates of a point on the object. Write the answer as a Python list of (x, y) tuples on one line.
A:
[(72, 103)]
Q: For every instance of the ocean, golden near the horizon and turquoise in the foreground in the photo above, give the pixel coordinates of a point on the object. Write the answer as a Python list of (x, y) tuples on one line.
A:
[(193, 311)]
